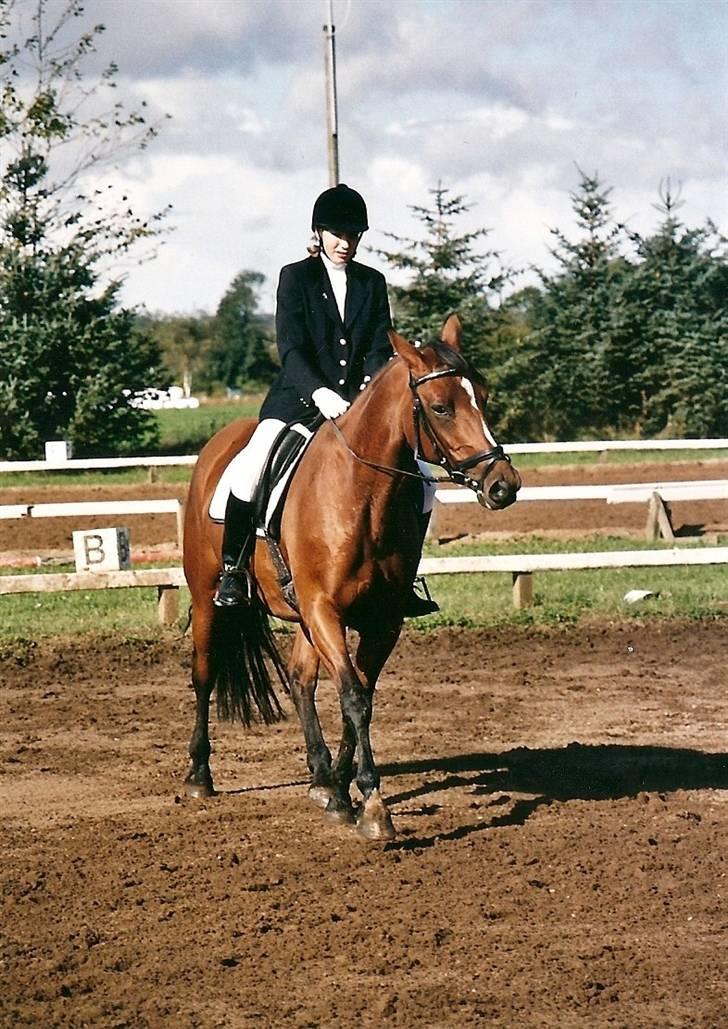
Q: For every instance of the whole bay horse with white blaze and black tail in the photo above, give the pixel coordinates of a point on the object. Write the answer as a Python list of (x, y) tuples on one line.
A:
[(350, 538)]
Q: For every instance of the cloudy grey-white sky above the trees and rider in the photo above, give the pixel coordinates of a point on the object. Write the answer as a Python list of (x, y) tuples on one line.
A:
[(499, 100)]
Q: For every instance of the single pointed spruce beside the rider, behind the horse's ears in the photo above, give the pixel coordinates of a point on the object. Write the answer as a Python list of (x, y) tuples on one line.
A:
[(448, 274)]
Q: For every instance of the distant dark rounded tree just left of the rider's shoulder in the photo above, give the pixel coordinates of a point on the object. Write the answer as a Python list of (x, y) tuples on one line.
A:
[(241, 348)]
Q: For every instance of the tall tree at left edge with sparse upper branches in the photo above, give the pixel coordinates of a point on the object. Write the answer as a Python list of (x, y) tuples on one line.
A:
[(71, 358)]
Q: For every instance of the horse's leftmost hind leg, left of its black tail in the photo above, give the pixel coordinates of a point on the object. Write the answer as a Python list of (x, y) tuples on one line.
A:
[(199, 780)]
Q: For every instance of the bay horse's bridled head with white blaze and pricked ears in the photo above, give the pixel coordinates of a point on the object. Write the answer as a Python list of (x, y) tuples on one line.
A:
[(449, 425)]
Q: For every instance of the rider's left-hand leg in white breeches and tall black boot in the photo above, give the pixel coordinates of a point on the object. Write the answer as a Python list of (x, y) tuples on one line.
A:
[(239, 535)]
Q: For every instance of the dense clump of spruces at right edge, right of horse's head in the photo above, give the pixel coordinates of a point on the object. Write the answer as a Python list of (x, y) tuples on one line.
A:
[(629, 337)]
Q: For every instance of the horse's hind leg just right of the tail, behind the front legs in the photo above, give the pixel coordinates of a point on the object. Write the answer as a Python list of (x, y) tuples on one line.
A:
[(303, 676)]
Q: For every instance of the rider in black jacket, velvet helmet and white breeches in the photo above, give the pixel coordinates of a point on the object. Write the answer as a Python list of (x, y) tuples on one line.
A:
[(332, 325)]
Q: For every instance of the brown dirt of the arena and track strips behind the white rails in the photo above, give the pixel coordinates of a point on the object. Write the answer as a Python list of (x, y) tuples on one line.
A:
[(561, 798)]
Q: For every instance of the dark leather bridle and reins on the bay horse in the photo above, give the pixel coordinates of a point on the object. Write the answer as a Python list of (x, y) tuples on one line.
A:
[(455, 471)]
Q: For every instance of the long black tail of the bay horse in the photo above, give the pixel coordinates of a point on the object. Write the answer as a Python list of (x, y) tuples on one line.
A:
[(241, 642)]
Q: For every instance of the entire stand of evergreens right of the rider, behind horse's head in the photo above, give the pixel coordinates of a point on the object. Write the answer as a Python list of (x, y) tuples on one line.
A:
[(628, 336)]
